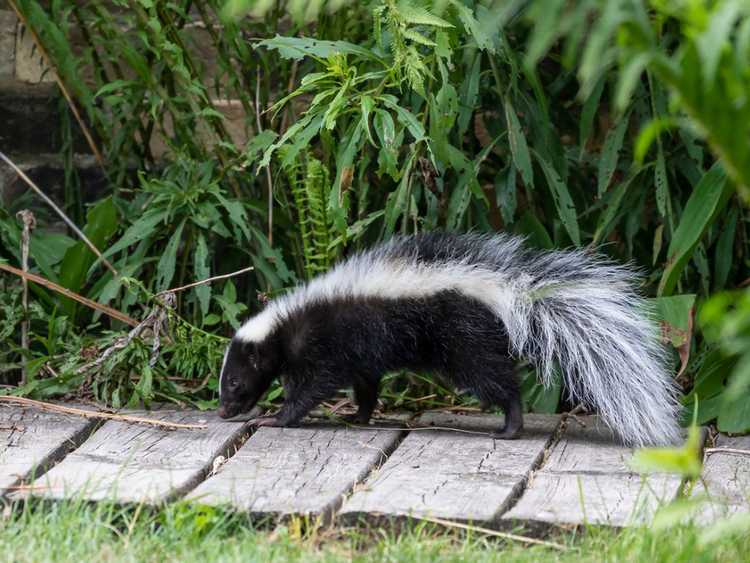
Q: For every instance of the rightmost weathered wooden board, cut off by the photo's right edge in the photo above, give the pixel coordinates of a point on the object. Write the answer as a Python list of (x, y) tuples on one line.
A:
[(726, 479)]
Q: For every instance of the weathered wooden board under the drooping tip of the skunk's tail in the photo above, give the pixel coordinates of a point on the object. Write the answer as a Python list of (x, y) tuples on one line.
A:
[(586, 479)]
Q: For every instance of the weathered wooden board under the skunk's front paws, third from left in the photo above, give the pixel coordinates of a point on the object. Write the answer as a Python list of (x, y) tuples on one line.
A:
[(305, 470)]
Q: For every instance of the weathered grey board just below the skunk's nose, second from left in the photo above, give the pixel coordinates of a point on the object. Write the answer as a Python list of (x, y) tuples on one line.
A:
[(125, 462)]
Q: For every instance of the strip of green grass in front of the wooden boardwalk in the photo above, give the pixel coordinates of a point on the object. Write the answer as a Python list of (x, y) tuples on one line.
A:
[(71, 531)]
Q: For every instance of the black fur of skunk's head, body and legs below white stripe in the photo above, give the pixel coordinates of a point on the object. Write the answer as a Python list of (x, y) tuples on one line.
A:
[(330, 345)]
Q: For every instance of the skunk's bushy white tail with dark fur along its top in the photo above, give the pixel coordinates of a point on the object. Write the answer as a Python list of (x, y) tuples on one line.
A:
[(574, 310)]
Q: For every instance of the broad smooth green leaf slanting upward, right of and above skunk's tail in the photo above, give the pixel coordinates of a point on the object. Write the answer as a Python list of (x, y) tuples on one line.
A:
[(707, 199)]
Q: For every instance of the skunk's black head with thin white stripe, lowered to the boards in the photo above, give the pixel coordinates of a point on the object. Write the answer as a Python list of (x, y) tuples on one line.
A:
[(247, 373)]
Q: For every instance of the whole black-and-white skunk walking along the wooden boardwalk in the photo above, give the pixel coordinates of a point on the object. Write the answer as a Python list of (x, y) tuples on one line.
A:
[(462, 306)]
